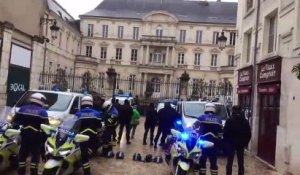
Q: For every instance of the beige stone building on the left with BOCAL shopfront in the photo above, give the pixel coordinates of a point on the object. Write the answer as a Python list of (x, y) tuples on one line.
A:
[(28, 48)]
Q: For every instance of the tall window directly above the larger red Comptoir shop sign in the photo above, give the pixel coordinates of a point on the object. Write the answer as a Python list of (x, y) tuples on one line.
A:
[(272, 34)]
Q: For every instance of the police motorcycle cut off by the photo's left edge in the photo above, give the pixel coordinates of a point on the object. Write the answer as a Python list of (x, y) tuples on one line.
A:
[(8, 145)]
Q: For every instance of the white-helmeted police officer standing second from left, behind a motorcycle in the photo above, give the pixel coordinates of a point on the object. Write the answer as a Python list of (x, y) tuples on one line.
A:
[(90, 122)]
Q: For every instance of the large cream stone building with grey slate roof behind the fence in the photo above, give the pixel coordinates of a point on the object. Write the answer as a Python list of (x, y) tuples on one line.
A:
[(158, 40)]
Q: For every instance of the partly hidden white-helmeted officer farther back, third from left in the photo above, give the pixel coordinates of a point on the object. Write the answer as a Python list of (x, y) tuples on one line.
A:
[(110, 115)]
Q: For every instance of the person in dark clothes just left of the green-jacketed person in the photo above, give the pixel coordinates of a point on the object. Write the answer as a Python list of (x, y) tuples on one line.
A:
[(125, 114)]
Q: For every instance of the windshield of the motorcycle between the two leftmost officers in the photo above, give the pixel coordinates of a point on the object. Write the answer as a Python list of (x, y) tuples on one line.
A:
[(66, 131)]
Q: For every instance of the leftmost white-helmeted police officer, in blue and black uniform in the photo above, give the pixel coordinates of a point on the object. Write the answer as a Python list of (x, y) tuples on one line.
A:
[(30, 117)]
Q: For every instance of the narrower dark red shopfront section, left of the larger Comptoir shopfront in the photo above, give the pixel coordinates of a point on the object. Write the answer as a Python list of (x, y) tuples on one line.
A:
[(244, 87)]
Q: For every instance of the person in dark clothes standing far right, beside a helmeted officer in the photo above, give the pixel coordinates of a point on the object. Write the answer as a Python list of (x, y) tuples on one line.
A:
[(237, 134)]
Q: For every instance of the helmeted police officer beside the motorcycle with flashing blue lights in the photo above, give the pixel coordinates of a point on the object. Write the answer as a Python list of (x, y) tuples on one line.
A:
[(210, 130)]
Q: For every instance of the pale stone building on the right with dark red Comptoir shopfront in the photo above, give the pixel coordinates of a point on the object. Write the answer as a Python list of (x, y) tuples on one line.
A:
[(267, 49)]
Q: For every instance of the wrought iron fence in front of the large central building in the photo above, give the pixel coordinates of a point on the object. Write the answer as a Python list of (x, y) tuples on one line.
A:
[(151, 90)]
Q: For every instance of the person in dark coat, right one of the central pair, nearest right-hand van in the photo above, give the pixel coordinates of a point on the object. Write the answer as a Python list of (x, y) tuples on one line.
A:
[(167, 116)]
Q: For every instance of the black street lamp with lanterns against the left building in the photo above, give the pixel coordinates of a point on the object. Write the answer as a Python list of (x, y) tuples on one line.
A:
[(44, 40)]
